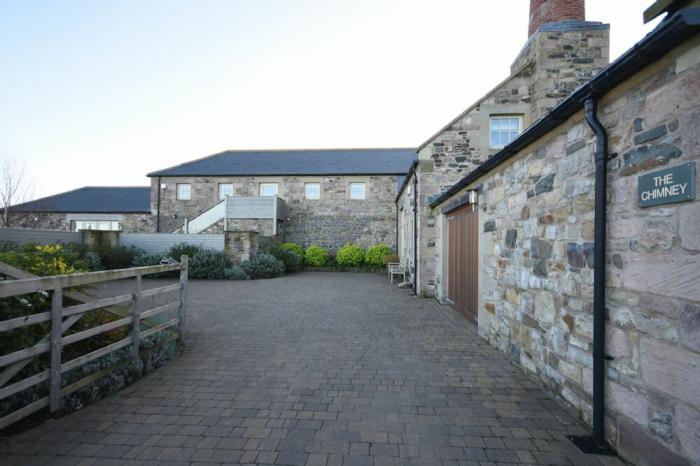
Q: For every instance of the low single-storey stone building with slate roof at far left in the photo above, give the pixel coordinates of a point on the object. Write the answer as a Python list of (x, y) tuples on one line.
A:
[(92, 207)]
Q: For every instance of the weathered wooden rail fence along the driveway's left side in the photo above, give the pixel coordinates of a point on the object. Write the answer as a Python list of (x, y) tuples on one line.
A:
[(62, 318)]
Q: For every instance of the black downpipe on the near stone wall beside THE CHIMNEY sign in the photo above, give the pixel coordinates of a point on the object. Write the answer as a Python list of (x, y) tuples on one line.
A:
[(601, 174)]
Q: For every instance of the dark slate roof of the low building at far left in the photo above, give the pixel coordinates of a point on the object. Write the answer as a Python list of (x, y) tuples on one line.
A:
[(92, 199)]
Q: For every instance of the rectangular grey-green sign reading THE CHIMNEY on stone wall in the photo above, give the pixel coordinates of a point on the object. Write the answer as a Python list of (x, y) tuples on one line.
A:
[(673, 184)]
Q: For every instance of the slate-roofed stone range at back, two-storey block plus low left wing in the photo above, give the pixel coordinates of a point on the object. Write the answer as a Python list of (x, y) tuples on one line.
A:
[(325, 197)]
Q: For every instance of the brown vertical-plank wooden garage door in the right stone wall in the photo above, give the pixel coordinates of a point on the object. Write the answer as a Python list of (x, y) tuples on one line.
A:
[(462, 261)]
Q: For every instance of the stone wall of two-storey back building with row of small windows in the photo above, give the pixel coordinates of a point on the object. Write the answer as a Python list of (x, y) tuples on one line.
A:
[(330, 221)]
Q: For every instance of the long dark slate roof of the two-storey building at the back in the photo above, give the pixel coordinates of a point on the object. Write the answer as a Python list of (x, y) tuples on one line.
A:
[(297, 162)]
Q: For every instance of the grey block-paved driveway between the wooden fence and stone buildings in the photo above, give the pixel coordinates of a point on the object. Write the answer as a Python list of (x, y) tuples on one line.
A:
[(316, 369)]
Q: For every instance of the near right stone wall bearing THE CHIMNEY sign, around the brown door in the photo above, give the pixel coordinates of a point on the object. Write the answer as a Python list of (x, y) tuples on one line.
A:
[(536, 264)]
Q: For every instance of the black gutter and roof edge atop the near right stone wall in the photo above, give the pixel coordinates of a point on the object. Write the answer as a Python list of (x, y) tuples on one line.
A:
[(668, 34)]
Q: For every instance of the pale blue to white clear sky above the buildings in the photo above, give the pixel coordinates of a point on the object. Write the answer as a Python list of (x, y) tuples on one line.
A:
[(102, 93)]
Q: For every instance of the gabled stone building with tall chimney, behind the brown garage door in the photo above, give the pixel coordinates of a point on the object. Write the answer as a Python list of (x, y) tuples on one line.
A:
[(563, 51)]
